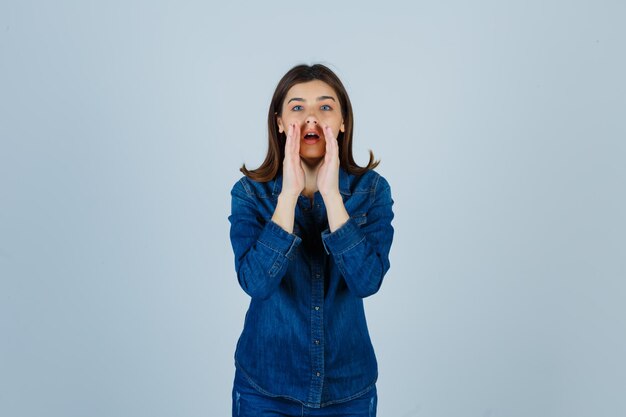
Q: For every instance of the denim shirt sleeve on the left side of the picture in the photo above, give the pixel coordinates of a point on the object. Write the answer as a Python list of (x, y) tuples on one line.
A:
[(262, 248)]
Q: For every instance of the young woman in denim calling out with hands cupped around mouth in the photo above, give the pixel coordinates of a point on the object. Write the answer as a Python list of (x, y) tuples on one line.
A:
[(311, 232)]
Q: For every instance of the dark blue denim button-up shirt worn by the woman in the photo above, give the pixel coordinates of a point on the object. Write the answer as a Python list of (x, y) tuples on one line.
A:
[(305, 336)]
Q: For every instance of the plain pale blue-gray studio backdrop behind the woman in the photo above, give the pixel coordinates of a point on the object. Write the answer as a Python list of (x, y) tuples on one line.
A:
[(500, 126)]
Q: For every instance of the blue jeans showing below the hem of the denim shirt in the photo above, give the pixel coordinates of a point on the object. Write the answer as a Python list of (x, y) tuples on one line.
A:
[(248, 402)]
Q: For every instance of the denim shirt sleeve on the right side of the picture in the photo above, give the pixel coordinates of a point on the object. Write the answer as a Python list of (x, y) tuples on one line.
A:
[(362, 252)]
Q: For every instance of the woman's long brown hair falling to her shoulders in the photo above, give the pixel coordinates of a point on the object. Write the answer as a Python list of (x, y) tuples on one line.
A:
[(273, 163)]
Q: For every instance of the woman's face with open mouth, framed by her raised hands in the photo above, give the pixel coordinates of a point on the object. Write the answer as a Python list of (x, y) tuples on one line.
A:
[(311, 106)]
